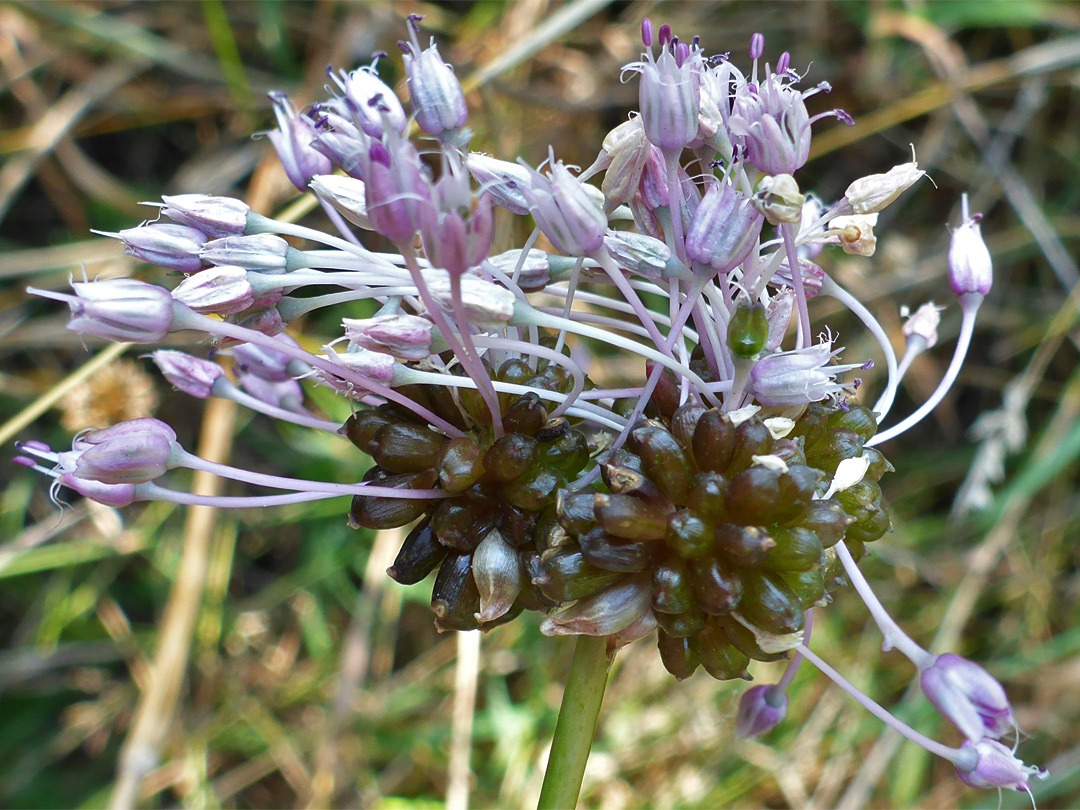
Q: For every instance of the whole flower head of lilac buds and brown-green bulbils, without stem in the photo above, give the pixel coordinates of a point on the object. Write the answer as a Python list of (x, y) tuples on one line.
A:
[(718, 503)]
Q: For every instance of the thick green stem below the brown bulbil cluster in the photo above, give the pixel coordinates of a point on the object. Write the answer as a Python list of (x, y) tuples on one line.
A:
[(577, 724)]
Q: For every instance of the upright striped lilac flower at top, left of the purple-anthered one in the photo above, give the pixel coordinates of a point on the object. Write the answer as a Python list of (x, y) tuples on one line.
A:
[(670, 97)]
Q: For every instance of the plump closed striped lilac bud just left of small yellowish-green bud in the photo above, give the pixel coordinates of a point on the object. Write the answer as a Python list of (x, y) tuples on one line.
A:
[(724, 229)]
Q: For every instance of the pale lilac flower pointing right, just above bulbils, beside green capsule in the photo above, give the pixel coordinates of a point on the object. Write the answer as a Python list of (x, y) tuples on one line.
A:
[(798, 377)]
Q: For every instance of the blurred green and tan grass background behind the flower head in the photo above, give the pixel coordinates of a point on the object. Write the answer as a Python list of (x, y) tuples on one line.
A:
[(308, 679)]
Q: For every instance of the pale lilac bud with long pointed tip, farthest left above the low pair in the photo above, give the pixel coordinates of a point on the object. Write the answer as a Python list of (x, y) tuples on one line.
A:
[(118, 309)]
